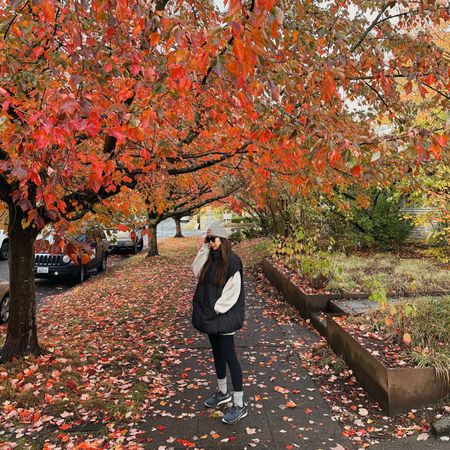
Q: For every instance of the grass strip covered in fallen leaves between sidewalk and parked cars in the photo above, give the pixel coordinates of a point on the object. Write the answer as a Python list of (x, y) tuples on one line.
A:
[(106, 343)]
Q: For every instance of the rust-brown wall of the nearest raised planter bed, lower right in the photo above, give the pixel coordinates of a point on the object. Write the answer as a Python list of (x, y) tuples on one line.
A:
[(396, 389)]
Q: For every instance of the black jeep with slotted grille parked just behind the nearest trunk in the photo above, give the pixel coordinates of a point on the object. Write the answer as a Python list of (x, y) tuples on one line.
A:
[(92, 244)]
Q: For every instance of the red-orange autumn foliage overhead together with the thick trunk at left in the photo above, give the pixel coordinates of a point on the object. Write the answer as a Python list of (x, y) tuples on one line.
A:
[(104, 93)]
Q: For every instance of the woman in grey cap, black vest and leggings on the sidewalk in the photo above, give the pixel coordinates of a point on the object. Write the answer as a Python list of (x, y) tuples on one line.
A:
[(218, 311)]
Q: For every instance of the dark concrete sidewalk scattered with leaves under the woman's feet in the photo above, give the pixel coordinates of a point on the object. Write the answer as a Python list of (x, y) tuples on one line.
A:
[(273, 375)]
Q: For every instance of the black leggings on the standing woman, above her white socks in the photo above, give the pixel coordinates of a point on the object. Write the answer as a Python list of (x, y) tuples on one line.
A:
[(225, 353)]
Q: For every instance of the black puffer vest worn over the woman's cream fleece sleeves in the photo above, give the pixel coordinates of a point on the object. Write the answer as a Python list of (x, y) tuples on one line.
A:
[(204, 318)]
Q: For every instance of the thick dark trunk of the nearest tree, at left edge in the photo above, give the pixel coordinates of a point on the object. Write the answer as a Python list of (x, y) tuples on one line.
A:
[(21, 338)]
